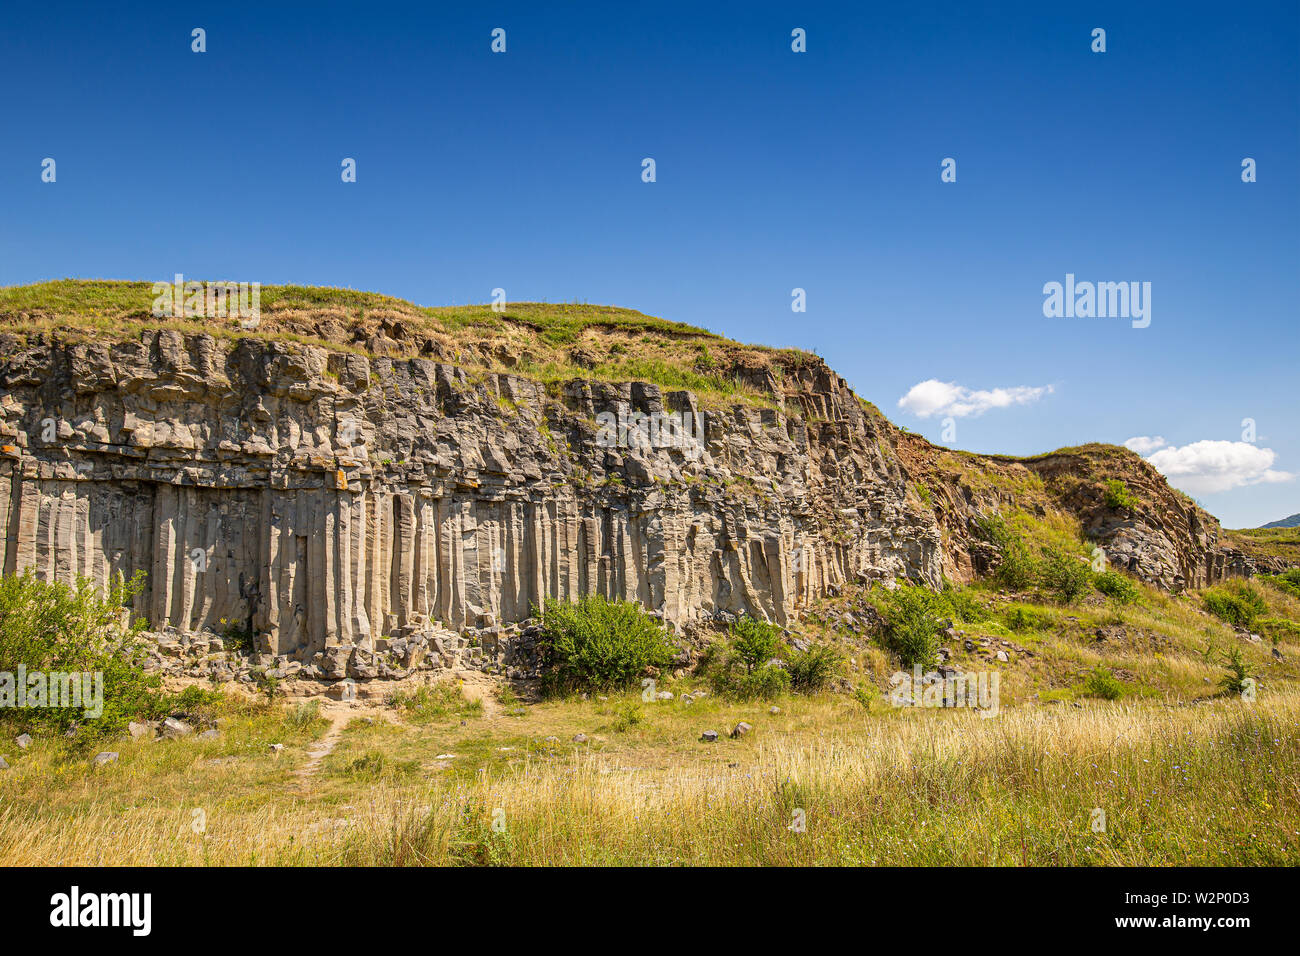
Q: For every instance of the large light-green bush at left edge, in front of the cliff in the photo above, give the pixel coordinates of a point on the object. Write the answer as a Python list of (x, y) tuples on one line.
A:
[(71, 630)]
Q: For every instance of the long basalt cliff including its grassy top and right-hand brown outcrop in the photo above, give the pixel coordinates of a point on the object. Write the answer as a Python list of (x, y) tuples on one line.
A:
[(345, 477)]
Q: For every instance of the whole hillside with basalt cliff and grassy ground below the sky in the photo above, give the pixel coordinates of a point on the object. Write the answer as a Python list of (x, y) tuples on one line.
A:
[(341, 526)]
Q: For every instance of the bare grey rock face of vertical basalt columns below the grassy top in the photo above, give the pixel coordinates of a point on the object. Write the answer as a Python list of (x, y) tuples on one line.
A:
[(322, 500)]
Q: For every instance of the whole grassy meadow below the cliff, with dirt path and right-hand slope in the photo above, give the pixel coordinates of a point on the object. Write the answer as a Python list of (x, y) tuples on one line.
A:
[(1175, 772)]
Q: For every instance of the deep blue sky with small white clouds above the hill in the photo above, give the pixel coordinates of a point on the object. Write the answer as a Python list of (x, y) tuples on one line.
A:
[(774, 171)]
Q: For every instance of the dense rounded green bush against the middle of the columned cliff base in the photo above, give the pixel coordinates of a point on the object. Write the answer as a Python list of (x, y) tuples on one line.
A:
[(599, 644)]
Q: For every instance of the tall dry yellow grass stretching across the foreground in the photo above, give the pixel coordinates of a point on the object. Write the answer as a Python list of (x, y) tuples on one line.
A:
[(1214, 782)]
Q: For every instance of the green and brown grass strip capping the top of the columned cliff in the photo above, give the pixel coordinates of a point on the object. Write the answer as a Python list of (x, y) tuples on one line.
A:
[(539, 340)]
